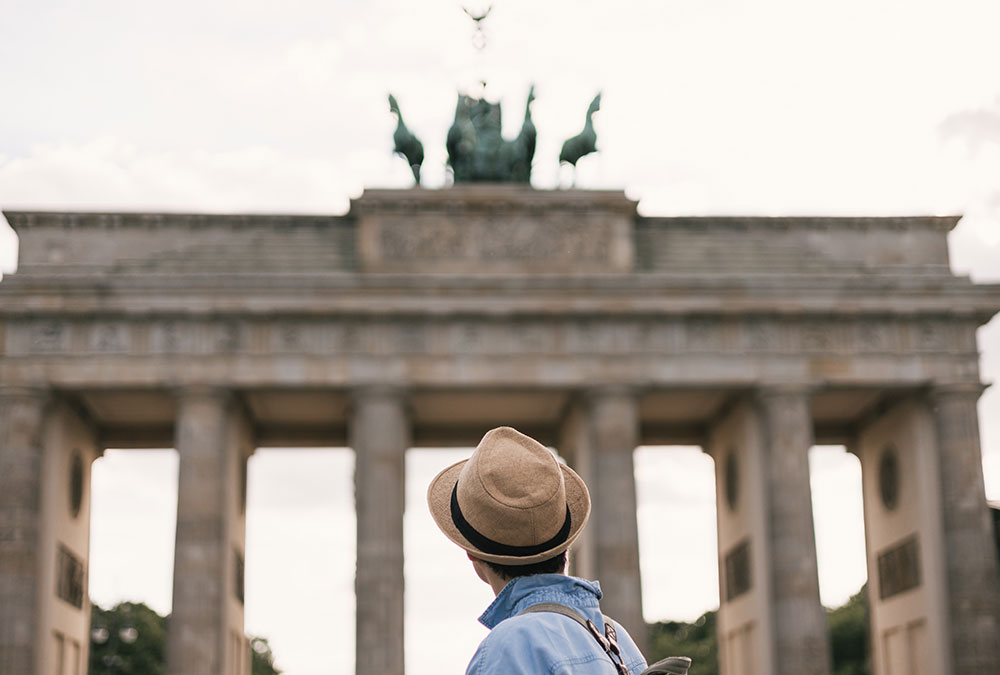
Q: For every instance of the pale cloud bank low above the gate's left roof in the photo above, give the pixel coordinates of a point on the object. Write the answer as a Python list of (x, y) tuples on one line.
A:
[(111, 174)]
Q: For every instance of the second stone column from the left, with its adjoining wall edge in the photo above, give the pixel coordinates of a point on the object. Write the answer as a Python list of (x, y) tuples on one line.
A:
[(211, 437)]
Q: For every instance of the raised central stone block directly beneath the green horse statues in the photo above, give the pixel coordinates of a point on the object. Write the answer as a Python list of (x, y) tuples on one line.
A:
[(489, 228)]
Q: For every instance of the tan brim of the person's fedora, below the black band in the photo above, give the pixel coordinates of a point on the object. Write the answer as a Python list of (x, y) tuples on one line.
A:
[(439, 501)]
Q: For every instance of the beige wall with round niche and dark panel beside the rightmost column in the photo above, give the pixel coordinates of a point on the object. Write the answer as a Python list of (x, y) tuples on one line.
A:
[(904, 535)]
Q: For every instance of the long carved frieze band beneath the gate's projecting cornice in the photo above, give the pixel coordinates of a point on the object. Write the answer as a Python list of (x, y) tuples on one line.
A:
[(585, 335)]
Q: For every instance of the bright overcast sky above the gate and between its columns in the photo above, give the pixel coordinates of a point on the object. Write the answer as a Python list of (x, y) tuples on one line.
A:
[(756, 107)]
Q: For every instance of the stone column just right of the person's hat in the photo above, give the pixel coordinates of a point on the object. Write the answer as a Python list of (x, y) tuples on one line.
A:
[(614, 424)]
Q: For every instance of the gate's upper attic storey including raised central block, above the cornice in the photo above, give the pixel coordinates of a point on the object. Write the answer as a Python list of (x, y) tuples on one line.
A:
[(476, 230)]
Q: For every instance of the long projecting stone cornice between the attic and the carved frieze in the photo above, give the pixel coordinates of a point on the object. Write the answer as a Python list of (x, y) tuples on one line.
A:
[(248, 298)]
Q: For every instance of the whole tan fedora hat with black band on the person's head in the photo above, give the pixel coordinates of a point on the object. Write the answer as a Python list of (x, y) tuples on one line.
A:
[(511, 502)]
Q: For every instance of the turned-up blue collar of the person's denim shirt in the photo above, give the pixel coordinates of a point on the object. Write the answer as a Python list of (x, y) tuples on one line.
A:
[(523, 592)]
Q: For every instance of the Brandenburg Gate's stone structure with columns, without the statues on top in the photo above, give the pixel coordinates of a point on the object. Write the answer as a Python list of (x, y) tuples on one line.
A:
[(426, 317)]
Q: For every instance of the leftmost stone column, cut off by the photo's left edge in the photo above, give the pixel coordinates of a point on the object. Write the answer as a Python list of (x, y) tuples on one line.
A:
[(22, 413)]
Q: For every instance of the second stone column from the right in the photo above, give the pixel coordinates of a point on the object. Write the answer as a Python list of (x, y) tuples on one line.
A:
[(802, 645)]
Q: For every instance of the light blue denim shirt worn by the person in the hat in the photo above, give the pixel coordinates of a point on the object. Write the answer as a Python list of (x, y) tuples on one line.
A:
[(544, 642)]
